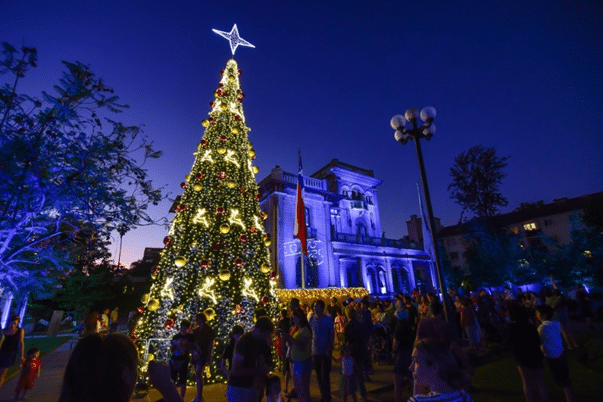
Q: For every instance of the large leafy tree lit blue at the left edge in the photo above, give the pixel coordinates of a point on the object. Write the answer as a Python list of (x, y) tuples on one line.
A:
[(69, 175)]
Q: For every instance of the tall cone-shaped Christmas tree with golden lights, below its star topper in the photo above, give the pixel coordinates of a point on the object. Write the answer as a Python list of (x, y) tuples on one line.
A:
[(216, 257)]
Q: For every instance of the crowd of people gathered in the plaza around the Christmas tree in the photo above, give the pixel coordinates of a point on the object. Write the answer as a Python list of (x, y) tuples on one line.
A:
[(413, 331)]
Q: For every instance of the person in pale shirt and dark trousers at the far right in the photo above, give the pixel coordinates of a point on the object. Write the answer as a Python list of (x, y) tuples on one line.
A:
[(552, 348)]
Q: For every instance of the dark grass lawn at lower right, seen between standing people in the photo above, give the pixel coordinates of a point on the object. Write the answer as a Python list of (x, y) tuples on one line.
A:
[(499, 381)]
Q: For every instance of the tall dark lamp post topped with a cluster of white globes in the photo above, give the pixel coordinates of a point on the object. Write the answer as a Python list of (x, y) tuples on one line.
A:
[(416, 132)]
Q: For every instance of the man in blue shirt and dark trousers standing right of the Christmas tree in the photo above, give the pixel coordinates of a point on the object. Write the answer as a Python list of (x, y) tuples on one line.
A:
[(322, 347)]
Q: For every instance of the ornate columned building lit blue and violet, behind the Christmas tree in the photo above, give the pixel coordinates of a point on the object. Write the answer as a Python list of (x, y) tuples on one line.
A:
[(346, 246)]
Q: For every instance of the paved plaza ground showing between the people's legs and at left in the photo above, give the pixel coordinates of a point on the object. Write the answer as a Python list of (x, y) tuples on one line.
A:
[(48, 386)]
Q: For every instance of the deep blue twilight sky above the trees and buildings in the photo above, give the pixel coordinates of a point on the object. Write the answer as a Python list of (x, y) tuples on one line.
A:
[(327, 76)]
